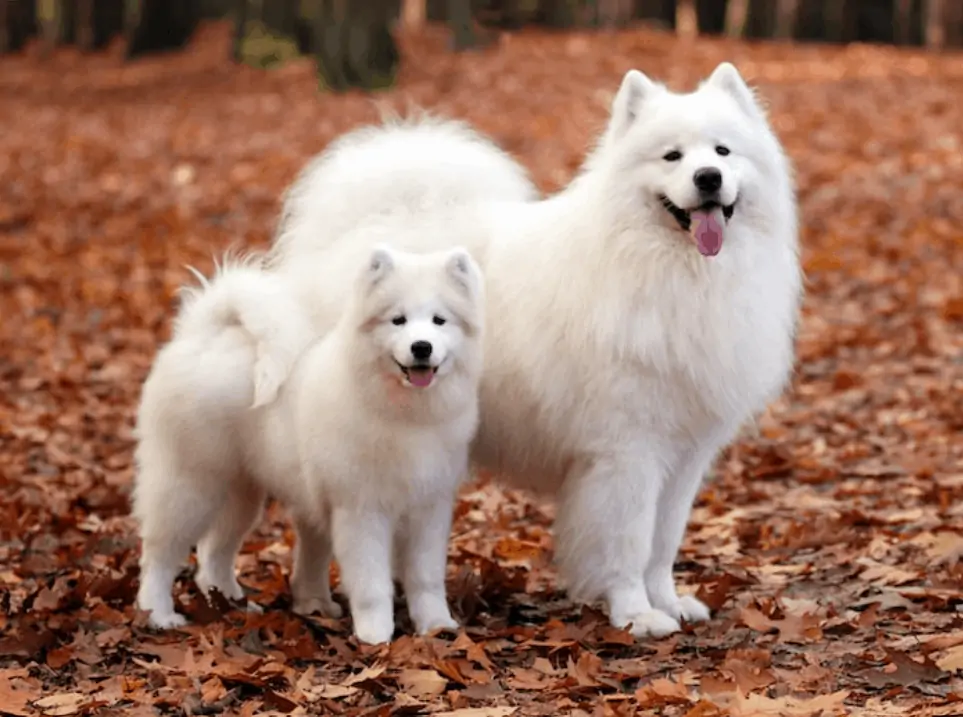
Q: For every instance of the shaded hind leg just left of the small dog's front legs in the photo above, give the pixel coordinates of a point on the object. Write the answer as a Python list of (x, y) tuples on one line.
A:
[(311, 576)]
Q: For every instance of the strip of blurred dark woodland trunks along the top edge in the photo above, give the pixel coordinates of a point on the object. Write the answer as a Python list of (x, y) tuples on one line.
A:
[(357, 46)]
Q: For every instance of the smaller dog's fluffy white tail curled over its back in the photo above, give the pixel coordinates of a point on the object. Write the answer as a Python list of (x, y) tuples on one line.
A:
[(242, 295)]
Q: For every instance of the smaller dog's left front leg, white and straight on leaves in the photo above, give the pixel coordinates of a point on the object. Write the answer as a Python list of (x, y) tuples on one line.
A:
[(362, 547)]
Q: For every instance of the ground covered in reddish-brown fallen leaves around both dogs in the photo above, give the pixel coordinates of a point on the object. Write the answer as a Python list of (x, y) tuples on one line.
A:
[(828, 540)]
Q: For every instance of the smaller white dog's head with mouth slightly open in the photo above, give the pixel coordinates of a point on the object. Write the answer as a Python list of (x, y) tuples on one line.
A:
[(423, 314)]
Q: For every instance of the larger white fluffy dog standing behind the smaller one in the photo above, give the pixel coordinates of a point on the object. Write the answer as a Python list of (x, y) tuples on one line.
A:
[(636, 319)]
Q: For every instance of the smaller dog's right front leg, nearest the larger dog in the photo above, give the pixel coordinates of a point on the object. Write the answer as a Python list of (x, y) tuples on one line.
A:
[(424, 559)]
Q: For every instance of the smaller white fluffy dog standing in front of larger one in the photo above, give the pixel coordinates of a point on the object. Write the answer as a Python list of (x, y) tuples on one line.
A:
[(363, 434)]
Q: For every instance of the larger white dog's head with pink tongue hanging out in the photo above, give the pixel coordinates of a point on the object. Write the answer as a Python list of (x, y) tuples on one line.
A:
[(698, 157)]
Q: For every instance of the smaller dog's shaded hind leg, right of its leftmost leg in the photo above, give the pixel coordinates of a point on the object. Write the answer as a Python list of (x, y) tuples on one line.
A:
[(218, 548)]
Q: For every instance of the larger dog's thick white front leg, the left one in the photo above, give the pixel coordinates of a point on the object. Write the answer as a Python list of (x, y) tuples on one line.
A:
[(604, 537)]
